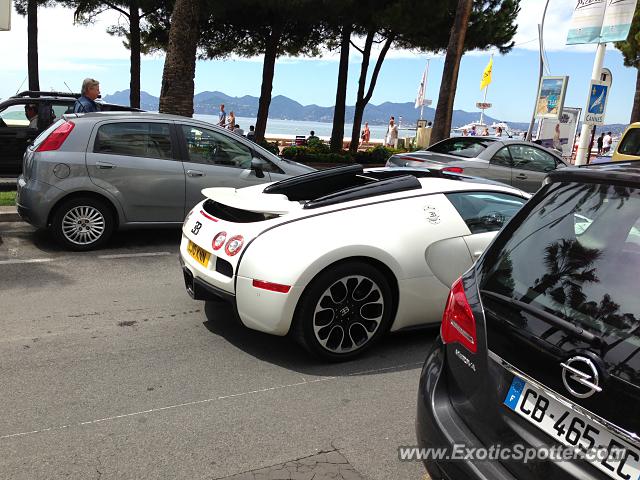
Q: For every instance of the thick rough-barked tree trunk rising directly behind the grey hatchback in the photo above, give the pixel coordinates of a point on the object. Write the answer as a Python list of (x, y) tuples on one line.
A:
[(176, 94)]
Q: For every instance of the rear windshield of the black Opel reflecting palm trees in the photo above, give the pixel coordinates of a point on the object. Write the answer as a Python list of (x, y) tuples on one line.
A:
[(577, 256)]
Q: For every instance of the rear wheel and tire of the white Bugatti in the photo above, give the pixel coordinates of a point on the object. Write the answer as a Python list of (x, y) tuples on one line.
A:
[(344, 311)]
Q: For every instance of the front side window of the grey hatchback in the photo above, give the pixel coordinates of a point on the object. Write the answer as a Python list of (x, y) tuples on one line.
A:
[(208, 146)]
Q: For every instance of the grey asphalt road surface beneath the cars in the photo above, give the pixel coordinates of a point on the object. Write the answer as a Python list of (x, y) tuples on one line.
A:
[(110, 370)]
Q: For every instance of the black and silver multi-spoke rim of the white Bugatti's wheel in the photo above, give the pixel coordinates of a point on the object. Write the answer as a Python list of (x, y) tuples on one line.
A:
[(348, 314)]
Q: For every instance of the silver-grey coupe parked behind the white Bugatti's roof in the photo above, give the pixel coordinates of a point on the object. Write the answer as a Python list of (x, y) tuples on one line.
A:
[(521, 164)]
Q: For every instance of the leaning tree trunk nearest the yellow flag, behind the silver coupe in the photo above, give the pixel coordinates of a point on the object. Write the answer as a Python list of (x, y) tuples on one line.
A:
[(455, 49)]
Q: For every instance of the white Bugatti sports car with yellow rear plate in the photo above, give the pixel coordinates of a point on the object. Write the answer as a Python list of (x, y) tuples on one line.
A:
[(341, 256)]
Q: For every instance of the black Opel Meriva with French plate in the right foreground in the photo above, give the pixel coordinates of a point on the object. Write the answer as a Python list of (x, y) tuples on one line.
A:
[(539, 349)]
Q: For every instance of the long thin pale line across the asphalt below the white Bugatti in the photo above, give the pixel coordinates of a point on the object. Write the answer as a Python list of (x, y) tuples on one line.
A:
[(207, 400)]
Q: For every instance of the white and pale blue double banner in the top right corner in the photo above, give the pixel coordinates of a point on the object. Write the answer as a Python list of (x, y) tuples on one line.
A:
[(601, 21)]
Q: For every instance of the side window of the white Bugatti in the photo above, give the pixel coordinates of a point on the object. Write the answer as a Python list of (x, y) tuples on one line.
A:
[(485, 211)]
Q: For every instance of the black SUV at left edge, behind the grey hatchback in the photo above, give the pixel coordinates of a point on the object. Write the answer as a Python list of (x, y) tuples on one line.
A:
[(17, 131)]
